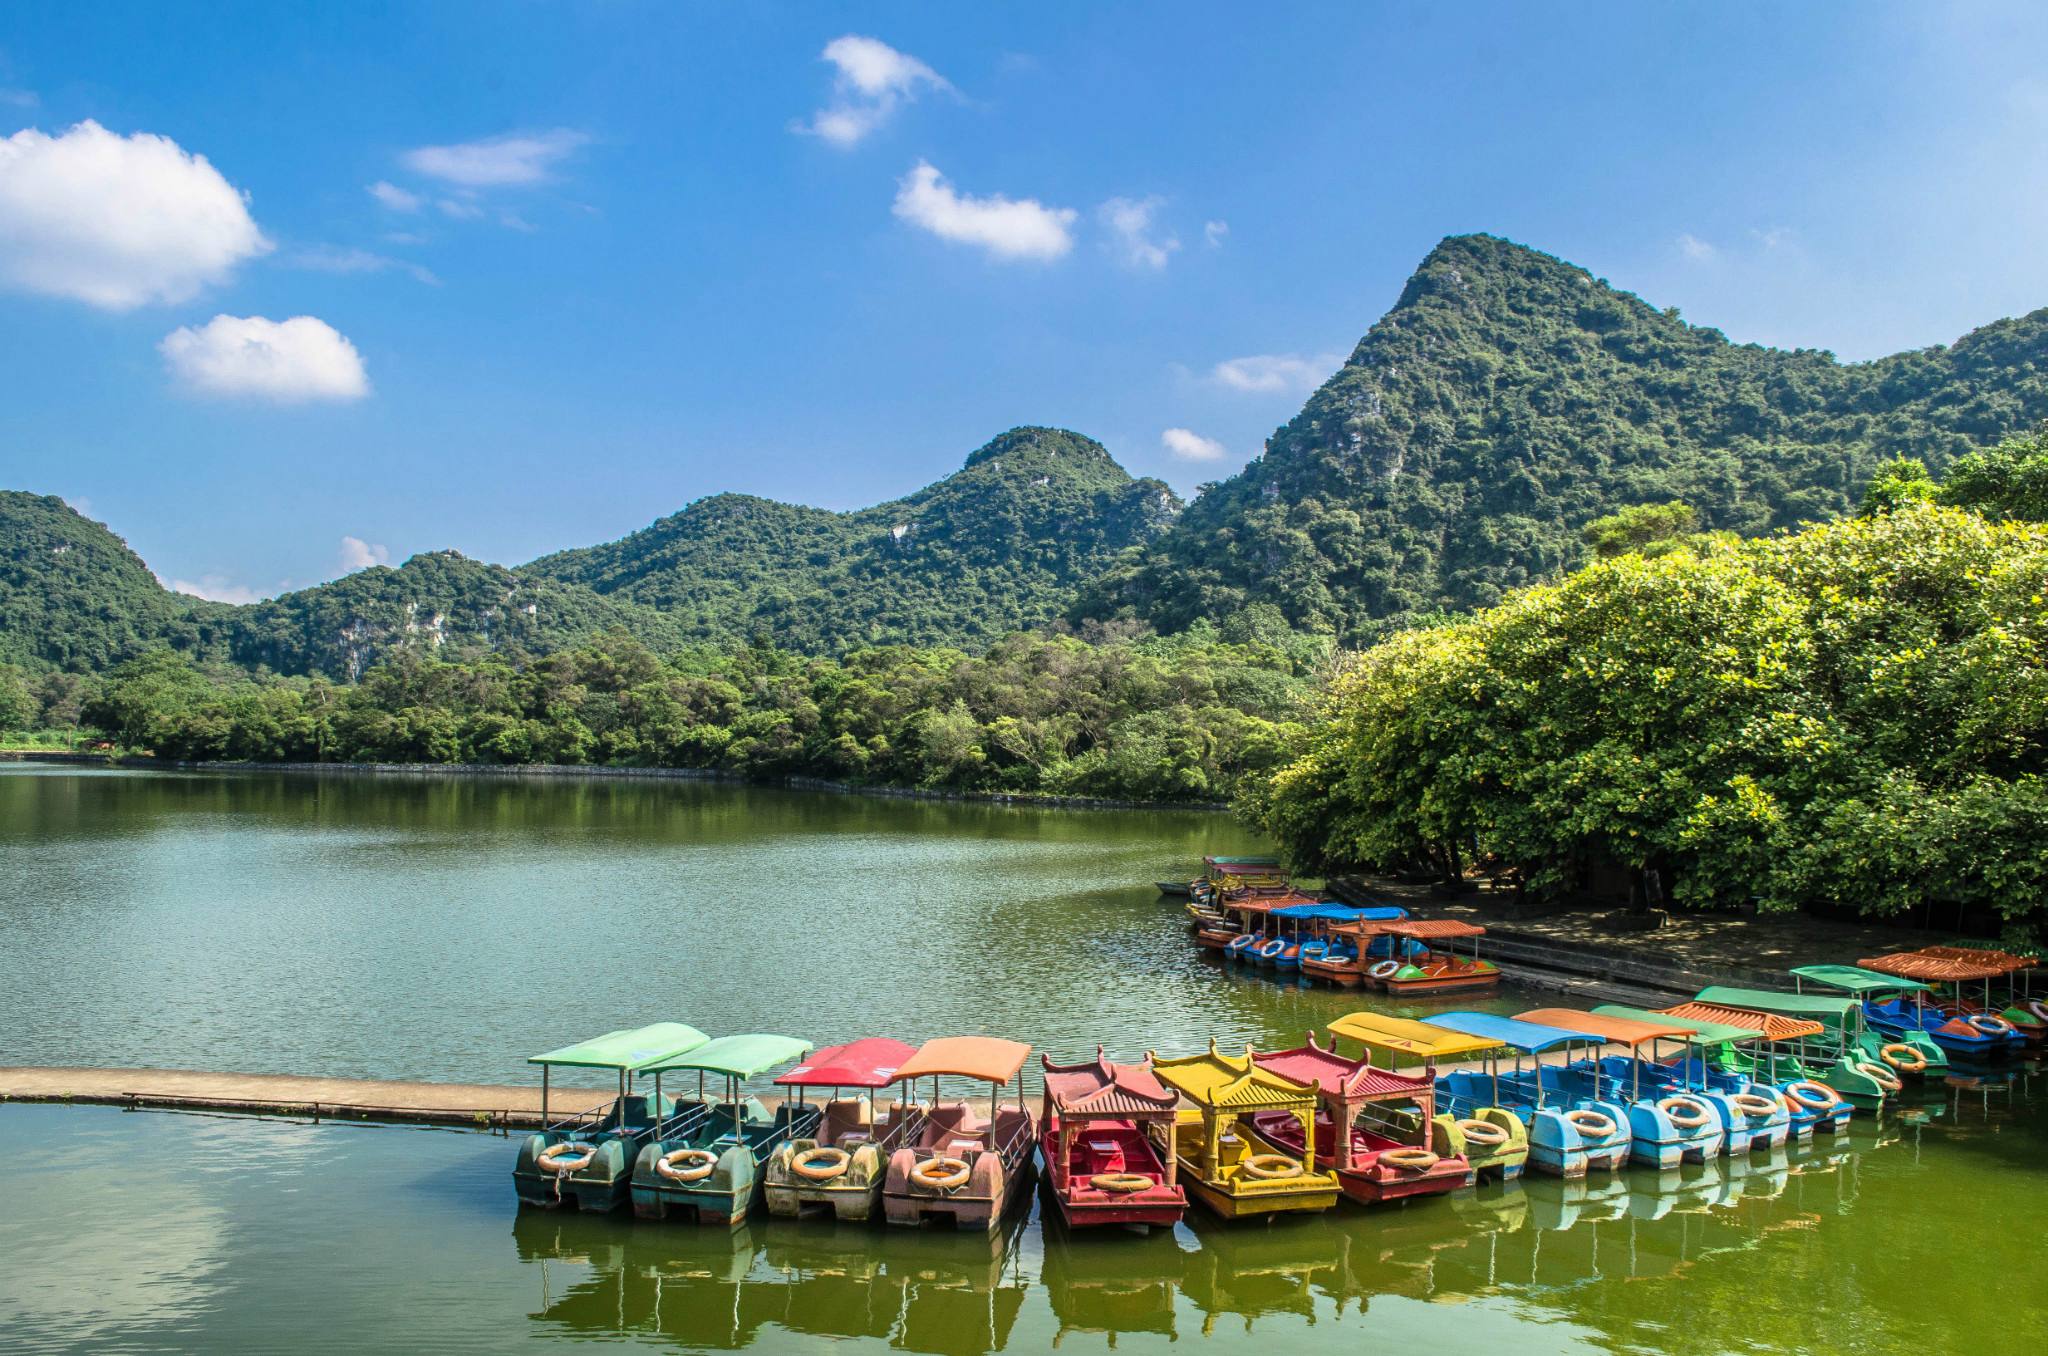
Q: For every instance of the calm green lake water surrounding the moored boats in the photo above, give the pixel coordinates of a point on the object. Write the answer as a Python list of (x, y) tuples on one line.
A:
[(445, 929)]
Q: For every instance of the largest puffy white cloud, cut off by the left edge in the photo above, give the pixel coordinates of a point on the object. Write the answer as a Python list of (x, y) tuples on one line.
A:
[(118, 222)]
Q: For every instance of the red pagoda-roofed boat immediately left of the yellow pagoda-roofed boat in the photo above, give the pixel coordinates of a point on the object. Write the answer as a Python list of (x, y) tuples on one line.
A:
[(1097, 1138)]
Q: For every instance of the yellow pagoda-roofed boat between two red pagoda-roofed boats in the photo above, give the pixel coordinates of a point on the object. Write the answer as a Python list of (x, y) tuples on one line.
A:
[(1220, 1162)]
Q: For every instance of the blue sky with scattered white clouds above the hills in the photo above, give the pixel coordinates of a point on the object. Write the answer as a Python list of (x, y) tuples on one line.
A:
[(572, 267)]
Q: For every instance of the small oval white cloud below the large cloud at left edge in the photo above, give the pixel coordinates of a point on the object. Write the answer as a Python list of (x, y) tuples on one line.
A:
[(267, 359)]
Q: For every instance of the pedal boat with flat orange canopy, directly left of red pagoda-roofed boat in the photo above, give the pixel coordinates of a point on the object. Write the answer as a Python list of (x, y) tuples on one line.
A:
[(953, 1164)]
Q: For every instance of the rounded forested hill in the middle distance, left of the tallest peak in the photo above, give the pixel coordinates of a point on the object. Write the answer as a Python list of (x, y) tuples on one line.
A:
[(1000, 546)]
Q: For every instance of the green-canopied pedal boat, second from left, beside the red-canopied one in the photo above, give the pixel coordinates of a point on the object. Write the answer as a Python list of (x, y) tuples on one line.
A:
[(706, 1158)]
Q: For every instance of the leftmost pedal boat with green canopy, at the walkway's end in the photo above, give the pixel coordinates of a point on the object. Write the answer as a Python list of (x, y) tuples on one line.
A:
[(589, 1160)]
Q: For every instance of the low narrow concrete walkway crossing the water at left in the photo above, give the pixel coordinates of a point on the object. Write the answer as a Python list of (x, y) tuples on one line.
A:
[(341, 1099)]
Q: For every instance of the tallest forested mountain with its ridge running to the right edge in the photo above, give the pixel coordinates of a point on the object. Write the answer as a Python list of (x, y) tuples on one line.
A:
[(1506, 400)]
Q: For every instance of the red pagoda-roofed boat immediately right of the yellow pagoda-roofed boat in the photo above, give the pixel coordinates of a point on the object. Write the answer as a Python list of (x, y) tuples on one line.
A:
[(1373, 1126)]
